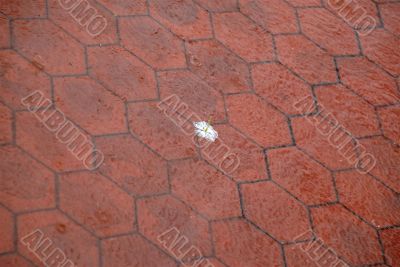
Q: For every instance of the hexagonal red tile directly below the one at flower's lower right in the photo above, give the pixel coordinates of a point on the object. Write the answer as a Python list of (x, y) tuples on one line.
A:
[(289, 217)]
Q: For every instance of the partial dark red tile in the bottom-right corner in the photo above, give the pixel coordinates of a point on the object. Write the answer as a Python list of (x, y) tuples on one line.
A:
[(390, 240)]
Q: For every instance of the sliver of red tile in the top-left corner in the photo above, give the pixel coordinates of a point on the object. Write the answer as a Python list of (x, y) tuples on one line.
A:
[(24, 8)]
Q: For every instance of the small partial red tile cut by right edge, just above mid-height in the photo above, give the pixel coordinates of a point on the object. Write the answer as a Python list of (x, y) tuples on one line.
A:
[(390, 116)]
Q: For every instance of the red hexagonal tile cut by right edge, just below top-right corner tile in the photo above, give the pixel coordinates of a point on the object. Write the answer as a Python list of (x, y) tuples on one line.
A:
[(382, 48)]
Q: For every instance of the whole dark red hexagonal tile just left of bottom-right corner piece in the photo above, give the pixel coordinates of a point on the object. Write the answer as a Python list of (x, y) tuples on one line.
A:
[(340, 230)]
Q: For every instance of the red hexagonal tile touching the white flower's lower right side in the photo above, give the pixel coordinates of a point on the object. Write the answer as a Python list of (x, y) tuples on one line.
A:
[(250, 165)]
